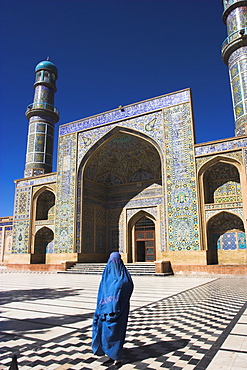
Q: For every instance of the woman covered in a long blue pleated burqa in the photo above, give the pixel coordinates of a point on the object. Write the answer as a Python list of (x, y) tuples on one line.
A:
[(114, 293)]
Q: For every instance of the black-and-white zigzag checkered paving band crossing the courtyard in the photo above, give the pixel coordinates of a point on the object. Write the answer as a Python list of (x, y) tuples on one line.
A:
[(182, 331)]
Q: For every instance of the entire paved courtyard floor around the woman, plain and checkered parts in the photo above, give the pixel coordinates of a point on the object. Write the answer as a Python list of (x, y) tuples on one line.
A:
[(175, 322)]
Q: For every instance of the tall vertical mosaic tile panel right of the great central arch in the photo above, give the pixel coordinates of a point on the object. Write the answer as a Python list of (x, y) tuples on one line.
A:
[(181, 185)]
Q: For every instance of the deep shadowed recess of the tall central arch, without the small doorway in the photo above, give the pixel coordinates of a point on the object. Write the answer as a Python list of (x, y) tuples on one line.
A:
[(124, 172)]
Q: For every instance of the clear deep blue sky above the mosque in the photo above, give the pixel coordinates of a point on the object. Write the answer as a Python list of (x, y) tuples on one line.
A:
[(109, 52)]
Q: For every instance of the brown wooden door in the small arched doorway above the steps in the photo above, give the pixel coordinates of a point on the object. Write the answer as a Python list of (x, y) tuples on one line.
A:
[(145, 240)]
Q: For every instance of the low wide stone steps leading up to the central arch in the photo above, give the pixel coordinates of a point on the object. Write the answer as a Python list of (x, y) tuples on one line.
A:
[(97, 269)]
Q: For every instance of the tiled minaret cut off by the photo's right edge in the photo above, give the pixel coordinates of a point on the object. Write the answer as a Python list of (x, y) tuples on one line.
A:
[(234, 54)]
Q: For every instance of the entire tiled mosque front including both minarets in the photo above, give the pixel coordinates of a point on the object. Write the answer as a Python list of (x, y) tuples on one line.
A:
[(133, 179)]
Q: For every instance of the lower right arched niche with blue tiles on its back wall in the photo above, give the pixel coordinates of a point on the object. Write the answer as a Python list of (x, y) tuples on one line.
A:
[(225, 231)]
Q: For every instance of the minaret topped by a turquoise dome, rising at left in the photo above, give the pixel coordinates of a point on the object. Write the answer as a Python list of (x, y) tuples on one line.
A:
[(42, 116)]
